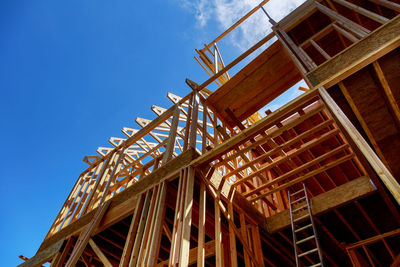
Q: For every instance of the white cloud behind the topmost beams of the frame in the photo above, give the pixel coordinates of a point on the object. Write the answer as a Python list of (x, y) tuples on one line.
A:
[(227, 12)]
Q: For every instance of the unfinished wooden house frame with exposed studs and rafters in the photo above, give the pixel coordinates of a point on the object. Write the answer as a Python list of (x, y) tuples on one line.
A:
[(216, 180)]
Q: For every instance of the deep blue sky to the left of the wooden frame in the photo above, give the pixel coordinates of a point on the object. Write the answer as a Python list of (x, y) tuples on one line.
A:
[(72, 74)]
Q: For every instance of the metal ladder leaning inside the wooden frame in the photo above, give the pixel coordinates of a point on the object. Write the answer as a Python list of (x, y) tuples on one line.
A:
[(301, 219)]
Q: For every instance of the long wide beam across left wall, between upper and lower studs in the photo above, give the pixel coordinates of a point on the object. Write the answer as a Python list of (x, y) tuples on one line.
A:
[(123, 204)]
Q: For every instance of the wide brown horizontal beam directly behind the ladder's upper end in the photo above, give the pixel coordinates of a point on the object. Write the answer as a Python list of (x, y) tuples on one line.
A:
[(327, 201)]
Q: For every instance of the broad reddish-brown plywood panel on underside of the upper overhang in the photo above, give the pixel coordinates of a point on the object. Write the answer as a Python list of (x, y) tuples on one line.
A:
[(266, 77)]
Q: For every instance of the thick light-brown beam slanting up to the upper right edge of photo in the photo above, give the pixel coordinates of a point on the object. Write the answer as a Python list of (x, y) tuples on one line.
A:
[(360, 54)]
